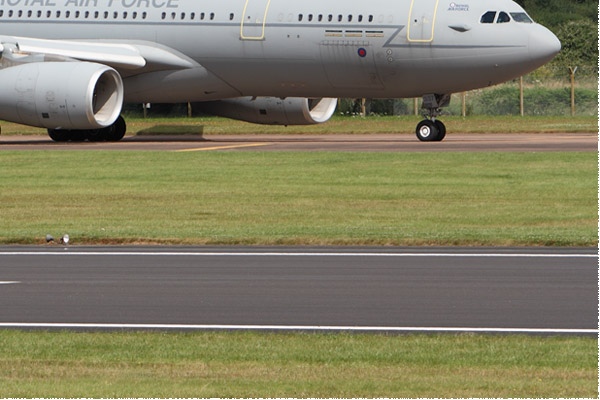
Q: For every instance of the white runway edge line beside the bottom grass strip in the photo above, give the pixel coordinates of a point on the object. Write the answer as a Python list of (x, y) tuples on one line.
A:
[(317, 328)]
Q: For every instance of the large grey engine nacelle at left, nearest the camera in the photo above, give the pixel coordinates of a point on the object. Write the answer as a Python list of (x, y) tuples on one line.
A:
[(61, 95)]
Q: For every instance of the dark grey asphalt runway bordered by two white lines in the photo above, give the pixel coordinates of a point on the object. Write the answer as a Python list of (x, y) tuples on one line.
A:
[(549, 290)]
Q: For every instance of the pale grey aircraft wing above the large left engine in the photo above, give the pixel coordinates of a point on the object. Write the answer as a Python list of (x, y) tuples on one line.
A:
[(129, 58)]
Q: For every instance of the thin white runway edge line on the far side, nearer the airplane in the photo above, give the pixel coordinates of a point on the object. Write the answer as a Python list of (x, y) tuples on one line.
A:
[(293, 254)]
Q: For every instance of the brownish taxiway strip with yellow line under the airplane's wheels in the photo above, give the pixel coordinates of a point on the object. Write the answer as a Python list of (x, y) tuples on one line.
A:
[(372, 142)]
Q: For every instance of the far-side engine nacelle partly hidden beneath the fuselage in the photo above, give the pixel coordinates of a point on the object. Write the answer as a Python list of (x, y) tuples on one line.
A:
[(273, 110)]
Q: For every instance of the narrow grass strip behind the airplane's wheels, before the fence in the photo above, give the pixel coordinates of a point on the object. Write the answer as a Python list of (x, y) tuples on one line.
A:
[(345, 125)]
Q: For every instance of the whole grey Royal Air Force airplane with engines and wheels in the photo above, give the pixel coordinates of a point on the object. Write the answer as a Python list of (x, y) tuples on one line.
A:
[(69, 65)]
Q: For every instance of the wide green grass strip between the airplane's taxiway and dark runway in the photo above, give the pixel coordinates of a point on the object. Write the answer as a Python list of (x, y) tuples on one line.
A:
[(101, 197)]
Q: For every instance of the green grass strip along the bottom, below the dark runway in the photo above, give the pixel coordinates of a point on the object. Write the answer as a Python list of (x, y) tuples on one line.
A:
[(38, 364)]
